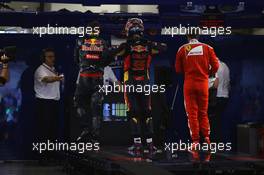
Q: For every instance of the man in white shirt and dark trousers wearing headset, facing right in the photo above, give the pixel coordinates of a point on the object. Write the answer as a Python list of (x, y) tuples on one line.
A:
[(47, 93)]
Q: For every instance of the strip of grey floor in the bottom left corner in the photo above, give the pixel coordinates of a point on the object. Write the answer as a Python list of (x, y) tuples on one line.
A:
[(29, 169)]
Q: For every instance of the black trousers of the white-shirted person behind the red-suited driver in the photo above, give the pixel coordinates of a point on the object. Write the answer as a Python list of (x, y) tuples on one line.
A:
[(216, 120)]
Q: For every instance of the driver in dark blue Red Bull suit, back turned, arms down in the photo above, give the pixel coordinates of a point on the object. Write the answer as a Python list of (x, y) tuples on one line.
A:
[(92, 55)]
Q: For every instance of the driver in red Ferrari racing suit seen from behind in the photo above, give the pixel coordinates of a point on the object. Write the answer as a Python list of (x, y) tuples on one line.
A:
[(196, 61)]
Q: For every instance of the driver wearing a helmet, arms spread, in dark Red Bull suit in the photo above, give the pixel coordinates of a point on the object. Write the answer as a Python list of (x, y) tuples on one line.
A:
[(137, 53)]
